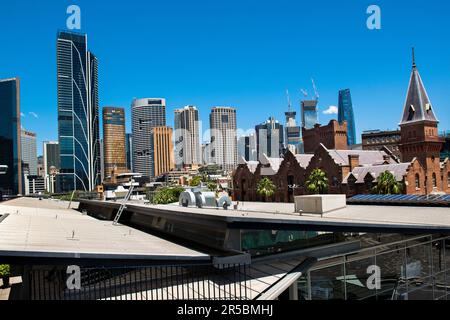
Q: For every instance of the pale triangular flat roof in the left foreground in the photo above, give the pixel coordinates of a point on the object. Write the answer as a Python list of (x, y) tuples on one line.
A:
[(46, 228)]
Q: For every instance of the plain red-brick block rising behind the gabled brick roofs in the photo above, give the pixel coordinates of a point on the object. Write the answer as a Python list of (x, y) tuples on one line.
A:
[(332, 136)]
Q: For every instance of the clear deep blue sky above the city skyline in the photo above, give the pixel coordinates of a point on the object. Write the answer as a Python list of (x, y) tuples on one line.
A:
[(238, 53)]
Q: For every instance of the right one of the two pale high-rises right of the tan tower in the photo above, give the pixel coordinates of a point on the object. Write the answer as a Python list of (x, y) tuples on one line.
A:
[(223, 146)]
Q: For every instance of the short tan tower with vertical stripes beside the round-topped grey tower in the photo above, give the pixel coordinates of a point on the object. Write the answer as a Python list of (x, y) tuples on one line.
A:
[(162, 150)]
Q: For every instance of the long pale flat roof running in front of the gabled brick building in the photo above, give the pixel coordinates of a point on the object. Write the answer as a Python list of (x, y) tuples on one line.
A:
[(372, 216)]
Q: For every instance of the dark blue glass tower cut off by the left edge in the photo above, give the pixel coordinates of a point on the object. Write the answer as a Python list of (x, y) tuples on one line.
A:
[(10, 142)]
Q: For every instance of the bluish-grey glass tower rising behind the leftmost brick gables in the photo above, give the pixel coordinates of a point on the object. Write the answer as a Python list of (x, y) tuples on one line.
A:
[(270, 139)]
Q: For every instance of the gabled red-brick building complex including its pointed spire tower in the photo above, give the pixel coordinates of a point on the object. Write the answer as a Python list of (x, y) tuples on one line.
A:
[(354, 172)]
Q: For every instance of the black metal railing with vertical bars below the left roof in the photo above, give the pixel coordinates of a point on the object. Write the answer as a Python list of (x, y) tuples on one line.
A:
[(142, 283)]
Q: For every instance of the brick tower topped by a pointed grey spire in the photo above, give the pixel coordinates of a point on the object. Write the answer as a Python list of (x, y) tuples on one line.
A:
[(419, 132)]
